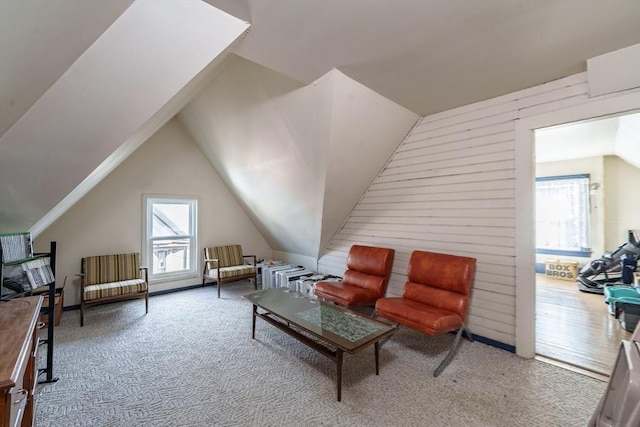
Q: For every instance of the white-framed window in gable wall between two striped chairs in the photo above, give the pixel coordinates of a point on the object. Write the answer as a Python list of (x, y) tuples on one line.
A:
[(170, 237)]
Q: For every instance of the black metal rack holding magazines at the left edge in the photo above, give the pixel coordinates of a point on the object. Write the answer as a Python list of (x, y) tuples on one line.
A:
[(23, 274)]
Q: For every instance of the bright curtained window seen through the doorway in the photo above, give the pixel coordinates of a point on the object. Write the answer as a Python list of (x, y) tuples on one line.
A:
[(562, 215)]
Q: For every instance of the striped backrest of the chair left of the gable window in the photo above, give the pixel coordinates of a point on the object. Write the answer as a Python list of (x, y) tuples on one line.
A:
[(110, 268)]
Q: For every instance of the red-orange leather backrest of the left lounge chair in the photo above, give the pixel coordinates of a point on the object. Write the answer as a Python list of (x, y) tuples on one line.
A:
[(369, 267)]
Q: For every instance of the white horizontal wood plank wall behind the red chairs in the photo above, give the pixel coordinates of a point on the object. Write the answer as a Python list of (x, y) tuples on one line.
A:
[(450, 188)]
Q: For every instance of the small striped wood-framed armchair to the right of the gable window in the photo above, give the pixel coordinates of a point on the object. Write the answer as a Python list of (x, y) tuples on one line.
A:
[(223, 264)]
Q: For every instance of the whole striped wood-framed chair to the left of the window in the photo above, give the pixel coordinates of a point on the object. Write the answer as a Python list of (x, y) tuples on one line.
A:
[(108, 278)]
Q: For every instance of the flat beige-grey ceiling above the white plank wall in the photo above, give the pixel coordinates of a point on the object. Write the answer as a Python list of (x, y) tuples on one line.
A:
[(433, 55)]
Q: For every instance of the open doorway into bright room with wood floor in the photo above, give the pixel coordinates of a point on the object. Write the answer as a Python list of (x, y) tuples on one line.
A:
[(575, 328)]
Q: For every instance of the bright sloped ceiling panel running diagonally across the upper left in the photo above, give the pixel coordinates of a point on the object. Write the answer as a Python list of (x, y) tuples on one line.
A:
[(133, 70)]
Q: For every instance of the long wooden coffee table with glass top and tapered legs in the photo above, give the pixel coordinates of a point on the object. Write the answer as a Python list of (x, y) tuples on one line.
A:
[(329, 329)]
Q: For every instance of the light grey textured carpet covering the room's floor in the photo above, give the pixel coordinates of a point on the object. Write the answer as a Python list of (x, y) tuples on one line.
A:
[(191, 362)]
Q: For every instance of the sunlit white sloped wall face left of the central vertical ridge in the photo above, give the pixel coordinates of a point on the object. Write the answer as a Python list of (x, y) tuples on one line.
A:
[(264, 134)]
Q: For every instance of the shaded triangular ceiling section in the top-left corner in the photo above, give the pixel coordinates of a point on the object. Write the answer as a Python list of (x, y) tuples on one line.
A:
[(39, 40)]
